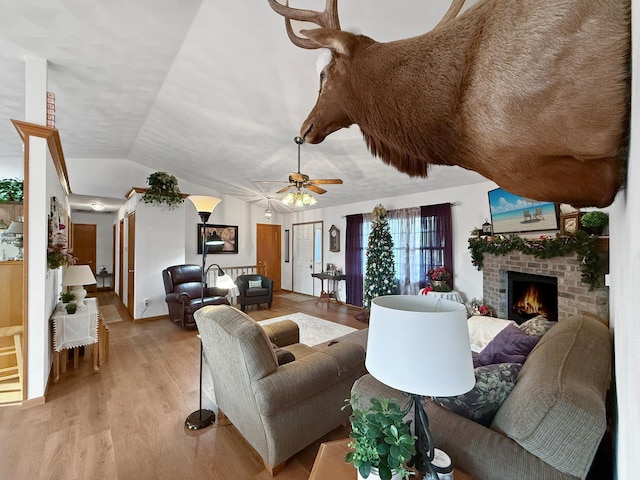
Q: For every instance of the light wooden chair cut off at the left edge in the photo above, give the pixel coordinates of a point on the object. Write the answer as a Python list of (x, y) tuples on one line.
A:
[(11, 375)]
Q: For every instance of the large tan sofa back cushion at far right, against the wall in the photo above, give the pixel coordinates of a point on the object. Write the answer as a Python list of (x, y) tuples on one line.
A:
[(557, 411)]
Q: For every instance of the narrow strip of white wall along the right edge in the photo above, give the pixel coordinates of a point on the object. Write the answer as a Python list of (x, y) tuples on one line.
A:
[(625, 287)]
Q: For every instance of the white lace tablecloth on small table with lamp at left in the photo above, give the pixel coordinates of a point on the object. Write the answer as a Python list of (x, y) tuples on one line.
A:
[(75, 330)]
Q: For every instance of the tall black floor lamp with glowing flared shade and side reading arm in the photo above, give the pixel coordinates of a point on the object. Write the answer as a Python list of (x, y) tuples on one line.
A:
[(204, 205)]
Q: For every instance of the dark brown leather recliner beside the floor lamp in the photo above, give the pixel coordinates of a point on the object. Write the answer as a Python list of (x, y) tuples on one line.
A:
[(183, 288)]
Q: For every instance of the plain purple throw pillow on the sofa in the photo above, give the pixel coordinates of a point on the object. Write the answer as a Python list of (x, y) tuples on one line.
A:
[(510, 345)]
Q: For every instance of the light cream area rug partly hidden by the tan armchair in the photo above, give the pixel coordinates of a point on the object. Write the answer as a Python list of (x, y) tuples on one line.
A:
[(313, 331)]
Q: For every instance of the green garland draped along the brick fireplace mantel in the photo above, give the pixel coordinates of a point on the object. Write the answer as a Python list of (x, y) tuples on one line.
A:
[(583, 244)]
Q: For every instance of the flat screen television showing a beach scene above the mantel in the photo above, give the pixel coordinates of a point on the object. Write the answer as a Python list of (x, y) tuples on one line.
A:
[(514, 214)]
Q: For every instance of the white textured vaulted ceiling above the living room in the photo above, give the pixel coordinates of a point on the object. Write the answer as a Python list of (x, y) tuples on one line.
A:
[(211, 91)]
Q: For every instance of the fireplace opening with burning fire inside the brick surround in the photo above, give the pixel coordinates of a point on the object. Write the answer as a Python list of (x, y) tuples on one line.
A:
[(532, 295)]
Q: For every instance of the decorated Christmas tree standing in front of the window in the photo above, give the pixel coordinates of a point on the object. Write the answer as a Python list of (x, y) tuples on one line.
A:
[(380, 276)]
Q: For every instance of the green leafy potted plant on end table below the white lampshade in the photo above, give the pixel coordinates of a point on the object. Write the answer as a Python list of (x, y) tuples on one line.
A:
[(382, 441)]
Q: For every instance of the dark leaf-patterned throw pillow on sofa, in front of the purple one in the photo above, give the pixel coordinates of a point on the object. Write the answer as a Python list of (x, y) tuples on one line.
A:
[(493, 385)]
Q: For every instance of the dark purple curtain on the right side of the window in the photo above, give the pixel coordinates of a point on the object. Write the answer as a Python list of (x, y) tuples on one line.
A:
[(437, 241)]
